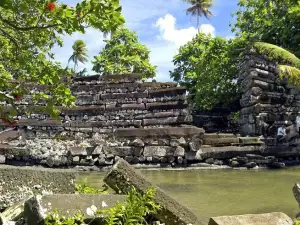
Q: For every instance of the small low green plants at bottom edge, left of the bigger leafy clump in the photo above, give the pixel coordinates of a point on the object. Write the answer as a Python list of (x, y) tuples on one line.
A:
[(55, 219)]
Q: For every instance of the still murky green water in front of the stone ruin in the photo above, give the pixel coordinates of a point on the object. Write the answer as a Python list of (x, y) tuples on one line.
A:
[(225, 192)]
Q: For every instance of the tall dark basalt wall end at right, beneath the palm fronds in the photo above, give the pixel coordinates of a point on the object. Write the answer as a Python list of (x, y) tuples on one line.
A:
[(267, 101)]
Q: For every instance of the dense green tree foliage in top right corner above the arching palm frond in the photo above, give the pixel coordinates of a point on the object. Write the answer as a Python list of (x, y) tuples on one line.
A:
[(273, 21)]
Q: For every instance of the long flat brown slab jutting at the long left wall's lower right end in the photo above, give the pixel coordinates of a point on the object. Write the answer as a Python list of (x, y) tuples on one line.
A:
[(160, 132)]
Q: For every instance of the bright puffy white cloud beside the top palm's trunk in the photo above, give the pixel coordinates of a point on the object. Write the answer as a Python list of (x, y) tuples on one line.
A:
[(179, 37)]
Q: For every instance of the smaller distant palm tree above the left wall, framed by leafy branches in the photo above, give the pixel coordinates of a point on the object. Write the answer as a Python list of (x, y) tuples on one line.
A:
[(79, 53)]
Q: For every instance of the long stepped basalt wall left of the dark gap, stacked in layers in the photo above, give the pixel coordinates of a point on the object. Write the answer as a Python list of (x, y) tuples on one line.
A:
[(115, 116)]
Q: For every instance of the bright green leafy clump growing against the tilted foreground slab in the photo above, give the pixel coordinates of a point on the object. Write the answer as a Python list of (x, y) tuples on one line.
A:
[(134, 211)]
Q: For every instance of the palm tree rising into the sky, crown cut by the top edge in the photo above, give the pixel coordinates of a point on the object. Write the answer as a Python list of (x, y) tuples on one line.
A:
[(199, 8)]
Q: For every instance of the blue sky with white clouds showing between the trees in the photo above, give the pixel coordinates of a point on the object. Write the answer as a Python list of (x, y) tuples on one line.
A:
[(162, 25)]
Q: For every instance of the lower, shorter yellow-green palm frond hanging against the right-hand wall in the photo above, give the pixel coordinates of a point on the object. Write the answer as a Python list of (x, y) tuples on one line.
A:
[(291, 73)]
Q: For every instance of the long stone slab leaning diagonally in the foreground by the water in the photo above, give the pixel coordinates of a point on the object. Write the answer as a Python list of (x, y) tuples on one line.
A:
[(122, 177)]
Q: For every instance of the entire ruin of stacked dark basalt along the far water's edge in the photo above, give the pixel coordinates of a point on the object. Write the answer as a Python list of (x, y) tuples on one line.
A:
[(150, 123)]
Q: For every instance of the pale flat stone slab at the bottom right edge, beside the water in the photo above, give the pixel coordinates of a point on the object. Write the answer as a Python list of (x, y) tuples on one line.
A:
[(275, 218)]
